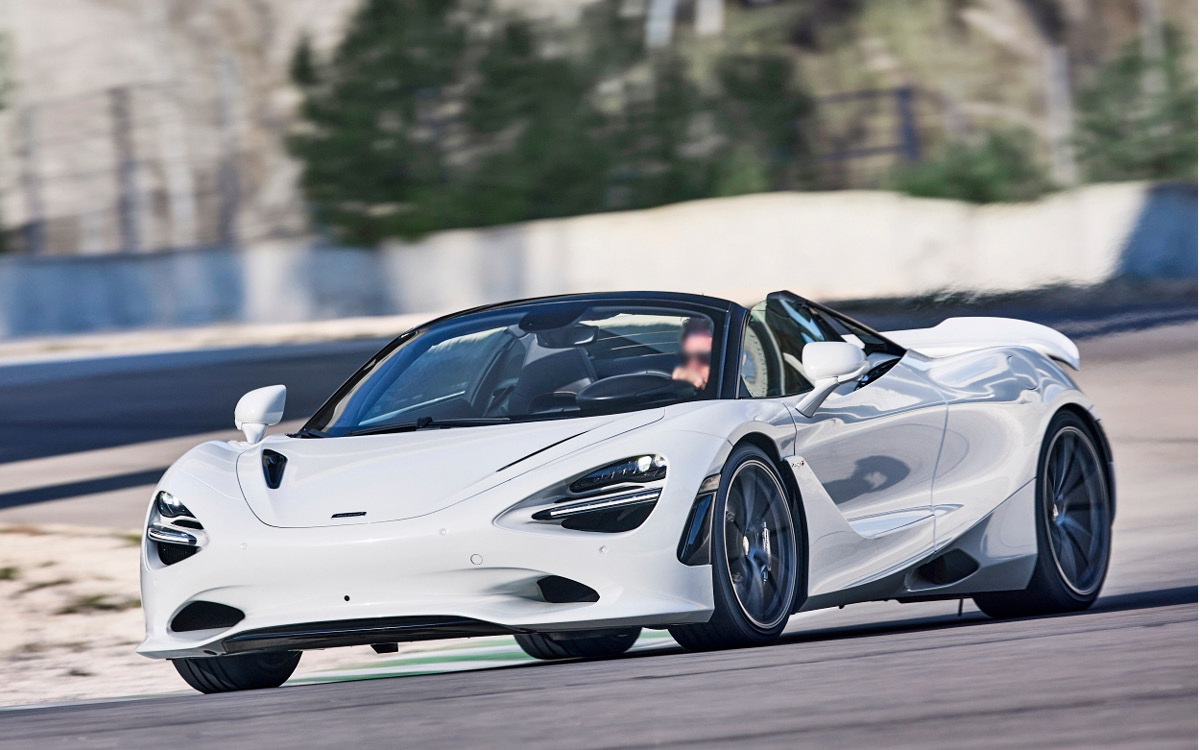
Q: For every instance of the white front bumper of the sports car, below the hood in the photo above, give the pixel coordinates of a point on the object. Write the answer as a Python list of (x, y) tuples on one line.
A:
[(455, 573)]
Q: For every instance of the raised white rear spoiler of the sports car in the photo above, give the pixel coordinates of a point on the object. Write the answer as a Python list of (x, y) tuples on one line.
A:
[(959, 335)]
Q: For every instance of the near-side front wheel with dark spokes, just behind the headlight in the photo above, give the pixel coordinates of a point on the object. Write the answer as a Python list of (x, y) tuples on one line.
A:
[(746, 610)]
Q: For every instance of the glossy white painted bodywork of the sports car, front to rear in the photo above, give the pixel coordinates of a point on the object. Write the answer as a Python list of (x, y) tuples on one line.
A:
[(939, 454)]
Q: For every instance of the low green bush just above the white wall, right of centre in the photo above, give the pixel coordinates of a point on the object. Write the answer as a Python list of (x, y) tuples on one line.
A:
[(1001, 169)]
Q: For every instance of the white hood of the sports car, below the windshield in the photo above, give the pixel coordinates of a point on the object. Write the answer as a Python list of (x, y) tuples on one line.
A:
[(332, 482)]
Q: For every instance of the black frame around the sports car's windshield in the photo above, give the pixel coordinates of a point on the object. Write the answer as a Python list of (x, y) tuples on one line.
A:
[(727, 317)]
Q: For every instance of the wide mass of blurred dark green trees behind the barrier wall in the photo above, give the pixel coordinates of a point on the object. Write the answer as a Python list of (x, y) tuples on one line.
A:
[(435, 115)]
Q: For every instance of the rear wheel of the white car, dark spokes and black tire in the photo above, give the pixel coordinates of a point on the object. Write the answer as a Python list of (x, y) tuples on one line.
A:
[(1075, 527)]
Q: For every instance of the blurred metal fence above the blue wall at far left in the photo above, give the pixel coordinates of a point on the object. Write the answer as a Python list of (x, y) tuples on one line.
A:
[(130, 169)]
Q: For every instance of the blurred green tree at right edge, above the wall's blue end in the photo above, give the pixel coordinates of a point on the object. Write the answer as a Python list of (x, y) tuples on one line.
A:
[(1130, 131)]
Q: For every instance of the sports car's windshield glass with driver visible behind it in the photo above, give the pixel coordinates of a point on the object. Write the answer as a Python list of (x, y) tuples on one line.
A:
[(532, 362)]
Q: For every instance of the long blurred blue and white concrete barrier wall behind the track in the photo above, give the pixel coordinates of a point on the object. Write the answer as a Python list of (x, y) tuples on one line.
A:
[(844, 245)]
